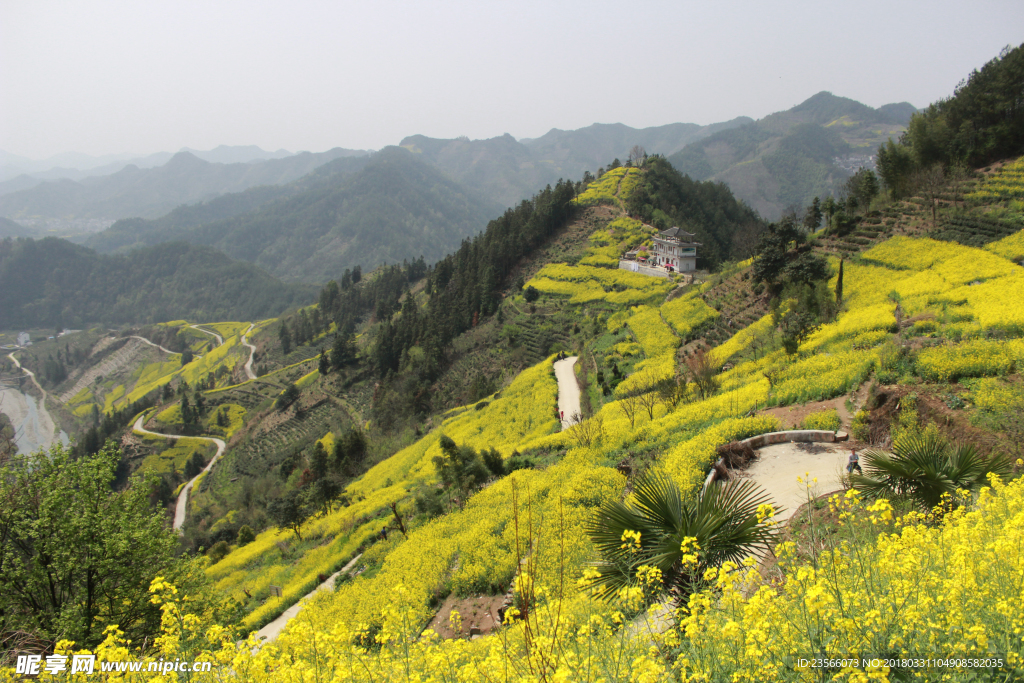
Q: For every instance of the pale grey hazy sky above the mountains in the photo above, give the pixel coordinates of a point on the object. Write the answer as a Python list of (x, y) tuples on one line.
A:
[(105, 77)]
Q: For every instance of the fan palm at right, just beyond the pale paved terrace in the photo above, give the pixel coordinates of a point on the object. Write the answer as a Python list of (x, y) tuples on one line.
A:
[(924, 467)]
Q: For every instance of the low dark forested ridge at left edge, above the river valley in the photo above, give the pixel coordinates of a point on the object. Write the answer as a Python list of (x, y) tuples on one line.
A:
[(52, 282)]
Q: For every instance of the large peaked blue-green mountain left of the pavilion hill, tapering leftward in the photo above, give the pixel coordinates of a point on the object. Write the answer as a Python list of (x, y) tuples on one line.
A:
[(387, 208)]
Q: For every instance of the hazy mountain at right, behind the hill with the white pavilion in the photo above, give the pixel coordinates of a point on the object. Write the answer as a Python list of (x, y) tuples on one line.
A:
[(788, 158)]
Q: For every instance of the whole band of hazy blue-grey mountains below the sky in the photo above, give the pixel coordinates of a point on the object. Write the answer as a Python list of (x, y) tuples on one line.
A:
[(308, 218)]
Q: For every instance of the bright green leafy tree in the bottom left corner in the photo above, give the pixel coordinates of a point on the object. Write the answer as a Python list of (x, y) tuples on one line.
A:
[(78, 557)]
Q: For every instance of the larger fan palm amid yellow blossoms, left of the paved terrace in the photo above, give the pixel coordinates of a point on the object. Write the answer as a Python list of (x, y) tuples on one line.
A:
[(679, 537)]
